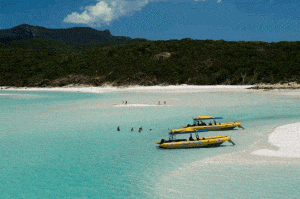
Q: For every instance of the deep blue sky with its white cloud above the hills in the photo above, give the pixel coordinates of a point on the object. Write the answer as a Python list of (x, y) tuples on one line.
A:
[(230, 20)]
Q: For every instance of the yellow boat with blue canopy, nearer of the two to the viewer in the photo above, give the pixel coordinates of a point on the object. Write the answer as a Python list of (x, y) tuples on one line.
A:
[(212, 141)]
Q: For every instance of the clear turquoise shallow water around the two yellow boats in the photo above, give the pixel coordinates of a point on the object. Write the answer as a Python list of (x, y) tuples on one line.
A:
[(66, 145)]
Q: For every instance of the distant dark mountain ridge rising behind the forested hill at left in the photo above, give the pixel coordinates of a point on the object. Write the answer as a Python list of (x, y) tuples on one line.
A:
[(70, 39)]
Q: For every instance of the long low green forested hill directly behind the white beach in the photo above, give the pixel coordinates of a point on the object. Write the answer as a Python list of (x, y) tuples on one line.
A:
[(186, 61)]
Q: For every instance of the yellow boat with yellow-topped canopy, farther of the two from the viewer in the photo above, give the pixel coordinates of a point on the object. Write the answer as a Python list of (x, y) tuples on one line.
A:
[(212, 126)]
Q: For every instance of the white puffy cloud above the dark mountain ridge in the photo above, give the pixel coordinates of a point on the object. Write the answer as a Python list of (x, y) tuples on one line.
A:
[(106, 11)]
